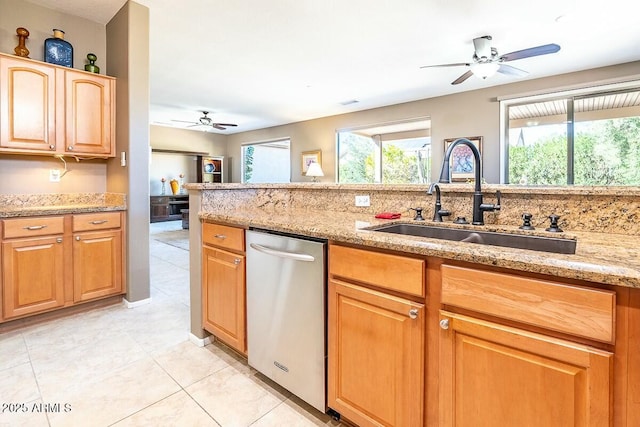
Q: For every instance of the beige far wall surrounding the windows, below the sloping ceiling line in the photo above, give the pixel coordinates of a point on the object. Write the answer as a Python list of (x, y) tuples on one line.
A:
[(474, 113)]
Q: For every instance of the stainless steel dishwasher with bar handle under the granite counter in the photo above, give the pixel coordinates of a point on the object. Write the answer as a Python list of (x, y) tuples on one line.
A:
[(286, 306)]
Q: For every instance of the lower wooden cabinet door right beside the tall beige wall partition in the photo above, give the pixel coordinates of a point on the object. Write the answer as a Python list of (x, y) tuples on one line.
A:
[(97, 264)]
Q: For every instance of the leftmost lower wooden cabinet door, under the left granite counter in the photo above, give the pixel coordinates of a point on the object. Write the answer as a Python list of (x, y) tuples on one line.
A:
[(33, 275)]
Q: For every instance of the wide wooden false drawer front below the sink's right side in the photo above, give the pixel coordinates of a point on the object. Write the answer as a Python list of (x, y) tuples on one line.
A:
[(579, 311)]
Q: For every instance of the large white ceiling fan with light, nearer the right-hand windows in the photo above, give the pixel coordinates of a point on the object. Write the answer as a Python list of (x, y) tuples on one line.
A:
[(486, 61)]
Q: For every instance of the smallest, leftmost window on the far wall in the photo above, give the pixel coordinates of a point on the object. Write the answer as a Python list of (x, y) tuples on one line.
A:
[(266, 162)]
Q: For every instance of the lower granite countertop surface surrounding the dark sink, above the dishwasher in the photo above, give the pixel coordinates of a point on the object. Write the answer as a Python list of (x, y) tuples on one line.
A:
[(612, 259)]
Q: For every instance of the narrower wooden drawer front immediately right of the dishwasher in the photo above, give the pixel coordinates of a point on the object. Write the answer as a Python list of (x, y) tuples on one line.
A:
[(395, 272)]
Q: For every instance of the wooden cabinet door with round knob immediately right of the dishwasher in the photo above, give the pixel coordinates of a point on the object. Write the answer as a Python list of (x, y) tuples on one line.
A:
[(376, 356)]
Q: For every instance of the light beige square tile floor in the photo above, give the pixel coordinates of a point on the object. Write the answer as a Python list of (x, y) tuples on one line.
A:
[(119, 366)]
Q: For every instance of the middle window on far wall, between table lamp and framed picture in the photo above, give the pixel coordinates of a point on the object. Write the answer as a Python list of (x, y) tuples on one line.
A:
[(398, 153)]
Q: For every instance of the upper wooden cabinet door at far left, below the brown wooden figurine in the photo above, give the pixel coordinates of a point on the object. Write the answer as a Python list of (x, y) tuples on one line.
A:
[(27, 106)]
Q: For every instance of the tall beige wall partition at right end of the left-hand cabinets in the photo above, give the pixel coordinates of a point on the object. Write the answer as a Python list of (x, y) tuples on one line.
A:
[(128, 48)]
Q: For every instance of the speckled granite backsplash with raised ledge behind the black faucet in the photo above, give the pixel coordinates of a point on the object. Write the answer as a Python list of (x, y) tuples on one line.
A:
[(597, 209)]
